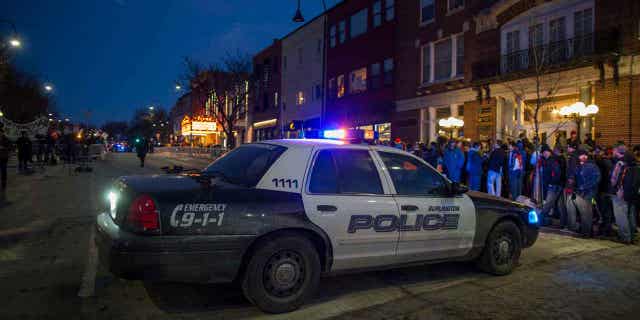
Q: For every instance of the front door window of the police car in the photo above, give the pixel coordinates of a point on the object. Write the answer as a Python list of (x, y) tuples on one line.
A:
[(412, 177)]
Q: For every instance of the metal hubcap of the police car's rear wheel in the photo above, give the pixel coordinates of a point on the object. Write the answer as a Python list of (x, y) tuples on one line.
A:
[(284, 274)]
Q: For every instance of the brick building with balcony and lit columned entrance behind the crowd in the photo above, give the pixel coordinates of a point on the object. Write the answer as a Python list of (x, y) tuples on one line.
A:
[(481, 61)]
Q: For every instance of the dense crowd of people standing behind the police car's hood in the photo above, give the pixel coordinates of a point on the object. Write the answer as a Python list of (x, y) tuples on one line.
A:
[(581, 186)]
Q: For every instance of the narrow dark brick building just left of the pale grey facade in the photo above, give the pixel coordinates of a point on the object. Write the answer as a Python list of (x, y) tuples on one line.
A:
[(264, 115)]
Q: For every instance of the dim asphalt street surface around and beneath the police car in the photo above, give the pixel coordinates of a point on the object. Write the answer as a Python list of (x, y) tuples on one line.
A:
[(48, 270)]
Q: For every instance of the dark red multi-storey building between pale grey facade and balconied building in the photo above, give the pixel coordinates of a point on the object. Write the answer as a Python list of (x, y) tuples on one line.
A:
[(360, 65)]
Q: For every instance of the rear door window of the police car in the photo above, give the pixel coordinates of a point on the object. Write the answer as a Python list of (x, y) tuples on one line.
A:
[(346, 172)]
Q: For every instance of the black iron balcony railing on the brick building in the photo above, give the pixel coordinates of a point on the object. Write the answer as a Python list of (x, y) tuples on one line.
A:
[(552, 53)]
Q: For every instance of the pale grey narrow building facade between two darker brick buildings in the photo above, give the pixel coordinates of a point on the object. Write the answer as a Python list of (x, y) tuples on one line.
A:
[(301, 79)]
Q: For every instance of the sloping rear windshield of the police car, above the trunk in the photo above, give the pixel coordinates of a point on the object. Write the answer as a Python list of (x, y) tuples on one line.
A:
[(246, 164)]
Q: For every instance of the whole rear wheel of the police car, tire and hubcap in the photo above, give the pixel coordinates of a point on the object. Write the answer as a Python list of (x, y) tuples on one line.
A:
[(282, 274)]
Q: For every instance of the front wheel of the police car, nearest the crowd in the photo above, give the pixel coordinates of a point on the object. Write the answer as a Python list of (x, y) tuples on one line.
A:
[(502, 249)]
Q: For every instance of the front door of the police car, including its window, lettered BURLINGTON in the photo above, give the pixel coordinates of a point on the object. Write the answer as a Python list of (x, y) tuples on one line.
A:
[(433, 224)]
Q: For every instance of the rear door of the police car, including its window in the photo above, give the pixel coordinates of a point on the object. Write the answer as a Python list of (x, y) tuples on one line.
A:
[(344, 196)]
